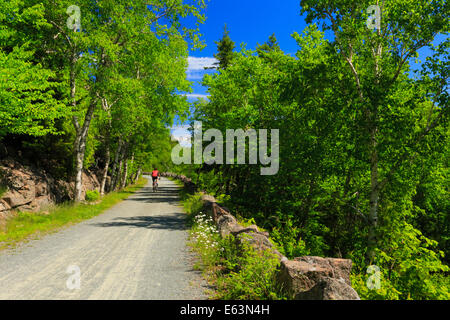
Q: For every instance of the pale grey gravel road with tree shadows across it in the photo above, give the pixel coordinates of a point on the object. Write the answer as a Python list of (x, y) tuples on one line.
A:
[(135, 250)]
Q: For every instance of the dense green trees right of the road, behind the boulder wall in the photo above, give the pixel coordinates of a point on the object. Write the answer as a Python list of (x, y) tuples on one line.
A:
[(363, 146)]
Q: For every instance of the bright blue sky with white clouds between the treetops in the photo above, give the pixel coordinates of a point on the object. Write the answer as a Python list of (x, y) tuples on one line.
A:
[(250, 22)]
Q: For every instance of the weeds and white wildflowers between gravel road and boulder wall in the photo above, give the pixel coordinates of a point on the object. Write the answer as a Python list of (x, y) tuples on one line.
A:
[(237, 272)]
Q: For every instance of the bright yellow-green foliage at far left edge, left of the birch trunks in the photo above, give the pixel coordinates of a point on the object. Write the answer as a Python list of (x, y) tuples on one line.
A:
[(27, 89)]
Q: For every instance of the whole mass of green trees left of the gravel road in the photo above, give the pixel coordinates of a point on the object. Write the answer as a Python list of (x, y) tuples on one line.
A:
[(107, 93)]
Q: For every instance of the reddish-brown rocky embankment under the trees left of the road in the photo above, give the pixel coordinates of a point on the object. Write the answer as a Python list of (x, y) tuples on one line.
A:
[(26, 188)]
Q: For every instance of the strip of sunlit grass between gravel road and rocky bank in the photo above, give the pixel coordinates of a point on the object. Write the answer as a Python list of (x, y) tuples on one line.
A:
[(28, 226)]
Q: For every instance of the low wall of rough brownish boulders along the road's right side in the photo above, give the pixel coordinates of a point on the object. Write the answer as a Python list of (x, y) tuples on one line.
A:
[(305, 278)]
